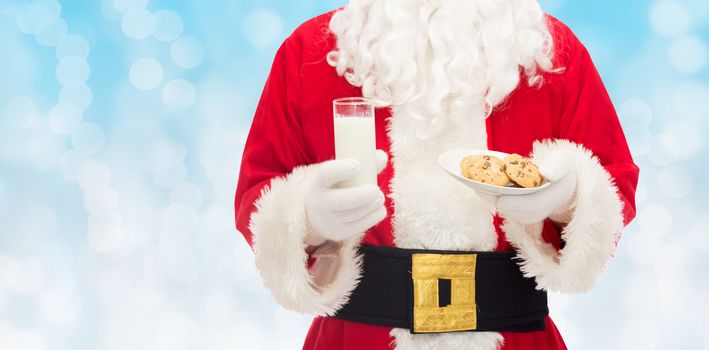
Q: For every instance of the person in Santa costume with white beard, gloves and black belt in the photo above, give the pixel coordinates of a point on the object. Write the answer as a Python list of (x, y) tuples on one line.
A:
[(451, 74)]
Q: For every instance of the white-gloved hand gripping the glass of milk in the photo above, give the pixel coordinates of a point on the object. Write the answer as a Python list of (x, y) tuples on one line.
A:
[(339, 213)]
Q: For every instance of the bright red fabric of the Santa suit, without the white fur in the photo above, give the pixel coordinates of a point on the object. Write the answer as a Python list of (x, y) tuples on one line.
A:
[(293, 126)]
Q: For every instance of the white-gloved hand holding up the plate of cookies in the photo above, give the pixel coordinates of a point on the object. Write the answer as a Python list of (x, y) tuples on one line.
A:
[(554, 202)]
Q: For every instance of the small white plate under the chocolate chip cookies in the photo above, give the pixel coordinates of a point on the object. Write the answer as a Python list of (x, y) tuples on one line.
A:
[(450, 162)]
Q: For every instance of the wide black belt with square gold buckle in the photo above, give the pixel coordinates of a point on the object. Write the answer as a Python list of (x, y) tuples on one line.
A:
[(445, 291)]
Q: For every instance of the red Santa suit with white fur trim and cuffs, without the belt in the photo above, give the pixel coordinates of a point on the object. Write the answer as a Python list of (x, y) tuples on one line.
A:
[(292, 133)]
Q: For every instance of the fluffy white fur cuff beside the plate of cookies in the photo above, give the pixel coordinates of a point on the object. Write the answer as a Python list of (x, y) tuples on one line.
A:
[(596, 221)]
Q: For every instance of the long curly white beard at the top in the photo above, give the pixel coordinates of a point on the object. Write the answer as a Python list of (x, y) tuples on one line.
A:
[(440, 60)]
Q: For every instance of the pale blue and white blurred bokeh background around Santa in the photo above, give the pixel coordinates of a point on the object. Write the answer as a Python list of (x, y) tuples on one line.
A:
[(121, 128)]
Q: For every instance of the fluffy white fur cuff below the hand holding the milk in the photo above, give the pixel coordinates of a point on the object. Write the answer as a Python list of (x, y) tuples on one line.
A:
[(279, 228)]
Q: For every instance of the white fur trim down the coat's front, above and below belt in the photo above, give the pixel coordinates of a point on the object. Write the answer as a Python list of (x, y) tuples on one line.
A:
[(433, 211)]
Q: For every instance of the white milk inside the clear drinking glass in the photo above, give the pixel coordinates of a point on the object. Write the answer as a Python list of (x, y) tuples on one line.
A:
[(355, 138)]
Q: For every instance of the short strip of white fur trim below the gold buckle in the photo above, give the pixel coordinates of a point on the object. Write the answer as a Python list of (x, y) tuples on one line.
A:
[(404, 340)]
